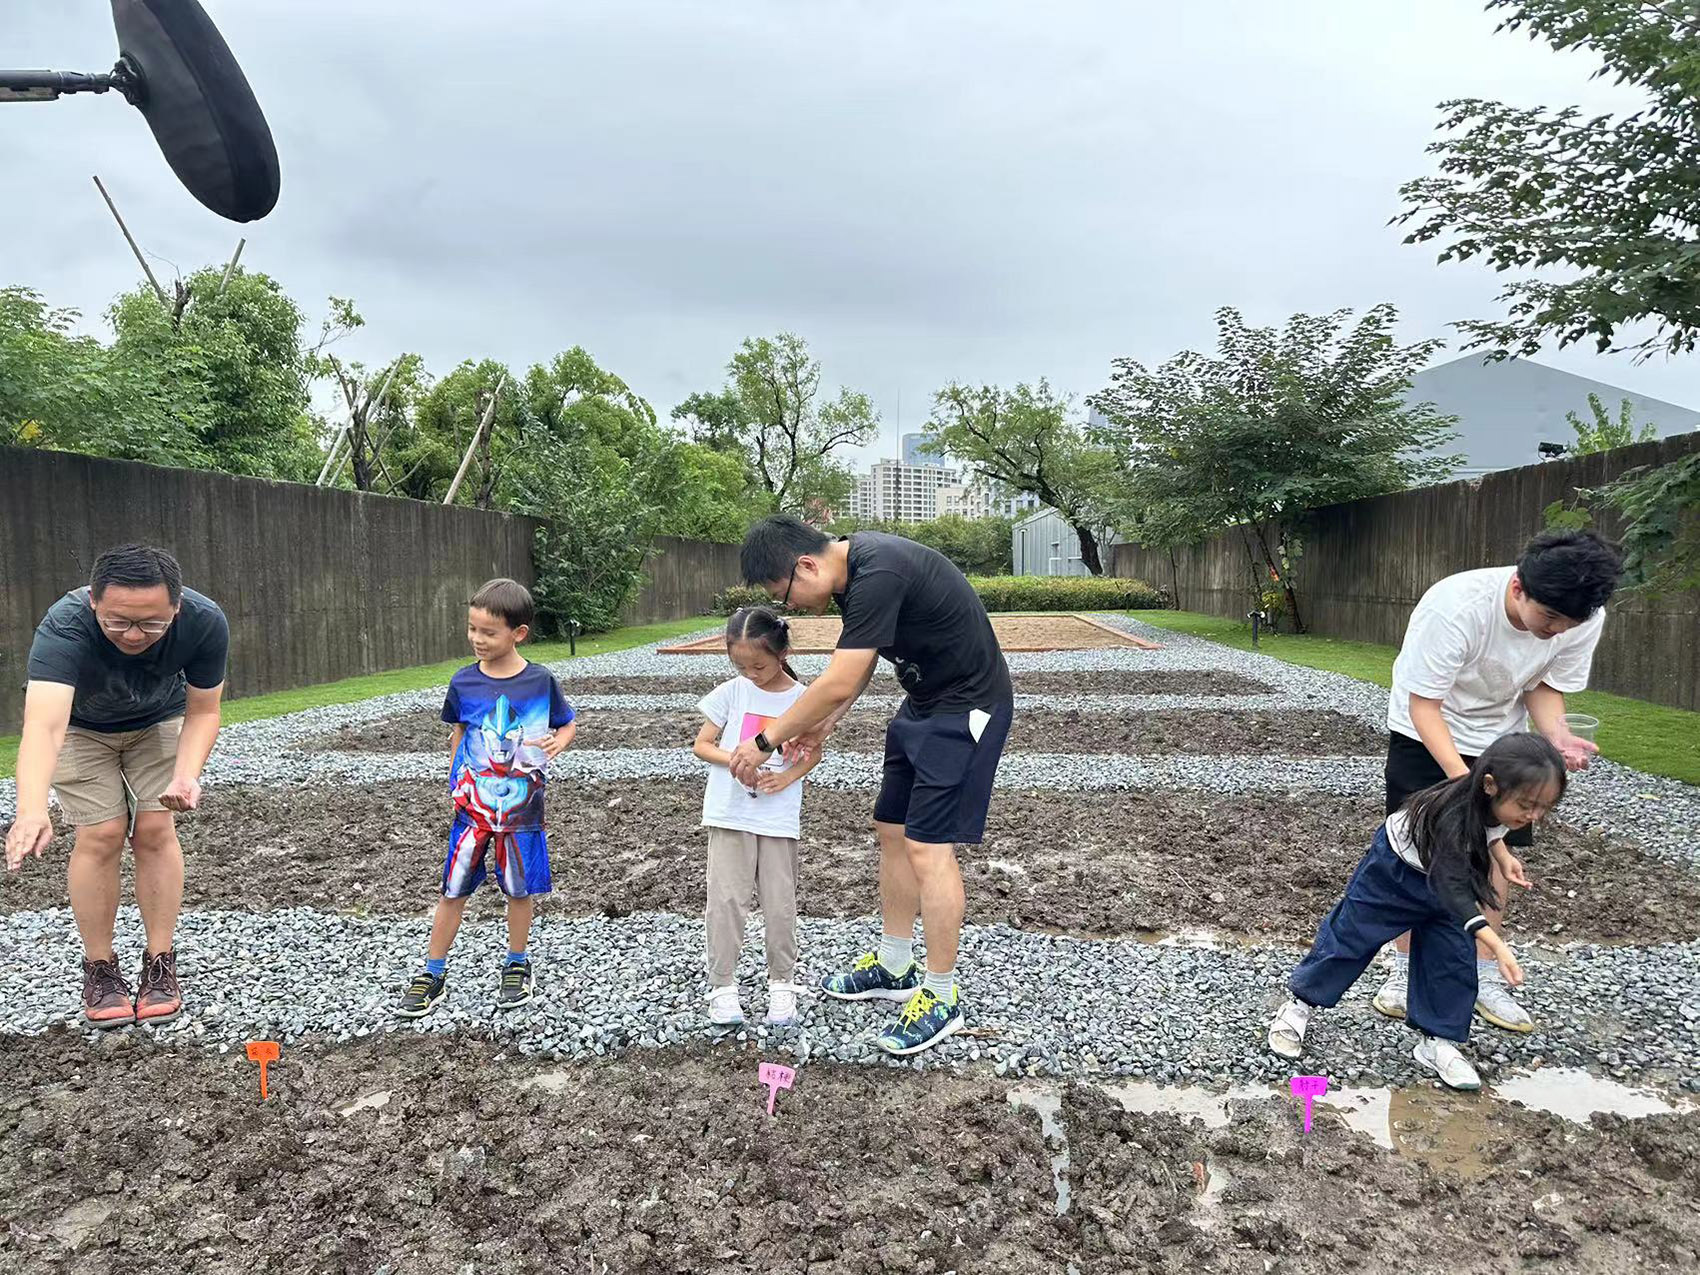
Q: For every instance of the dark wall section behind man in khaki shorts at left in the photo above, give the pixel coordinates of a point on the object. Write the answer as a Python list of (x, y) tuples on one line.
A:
[(317, 584)]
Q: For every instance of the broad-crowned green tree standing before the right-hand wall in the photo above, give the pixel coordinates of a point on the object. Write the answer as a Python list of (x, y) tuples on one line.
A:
[(1276, 424)]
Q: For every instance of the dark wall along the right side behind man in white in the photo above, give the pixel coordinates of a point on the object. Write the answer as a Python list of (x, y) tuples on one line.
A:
[(1369, 562)]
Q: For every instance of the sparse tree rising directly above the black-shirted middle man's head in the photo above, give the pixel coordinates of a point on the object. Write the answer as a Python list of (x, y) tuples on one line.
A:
[(771, 407)]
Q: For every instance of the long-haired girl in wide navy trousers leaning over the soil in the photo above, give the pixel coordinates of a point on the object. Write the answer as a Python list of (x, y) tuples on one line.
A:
[(1429, 873)]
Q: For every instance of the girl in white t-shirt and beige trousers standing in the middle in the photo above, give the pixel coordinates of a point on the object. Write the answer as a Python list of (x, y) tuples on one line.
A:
[(752, 832)]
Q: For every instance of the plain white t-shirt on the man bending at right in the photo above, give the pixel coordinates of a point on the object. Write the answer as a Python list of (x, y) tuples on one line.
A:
[(1463, 650)]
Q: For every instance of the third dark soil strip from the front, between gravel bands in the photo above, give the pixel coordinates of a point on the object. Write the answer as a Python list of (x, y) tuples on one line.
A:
[(864, 732)]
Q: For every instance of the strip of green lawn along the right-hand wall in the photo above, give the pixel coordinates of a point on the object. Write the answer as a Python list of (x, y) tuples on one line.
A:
[(1646, 737)]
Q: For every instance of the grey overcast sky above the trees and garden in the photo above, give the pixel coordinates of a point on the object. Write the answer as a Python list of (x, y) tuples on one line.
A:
[(958, 190)]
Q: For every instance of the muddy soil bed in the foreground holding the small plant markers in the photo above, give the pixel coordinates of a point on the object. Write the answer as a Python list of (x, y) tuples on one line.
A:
[(428, 1155)]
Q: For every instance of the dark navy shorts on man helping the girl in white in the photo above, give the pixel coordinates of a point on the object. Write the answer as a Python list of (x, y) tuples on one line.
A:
[(939, 776)]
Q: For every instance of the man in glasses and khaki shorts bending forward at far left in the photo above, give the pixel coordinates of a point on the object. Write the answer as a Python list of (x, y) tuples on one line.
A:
[(120, 718)]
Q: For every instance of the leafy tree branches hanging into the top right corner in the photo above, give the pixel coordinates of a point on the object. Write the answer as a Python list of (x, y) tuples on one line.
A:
[(1607, 205)]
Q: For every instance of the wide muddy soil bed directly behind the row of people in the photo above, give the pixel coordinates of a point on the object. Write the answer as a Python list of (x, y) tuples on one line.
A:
[(1091, 864)]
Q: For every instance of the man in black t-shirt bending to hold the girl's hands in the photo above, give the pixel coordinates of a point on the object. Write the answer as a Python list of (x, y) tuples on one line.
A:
[(912, 606)]
